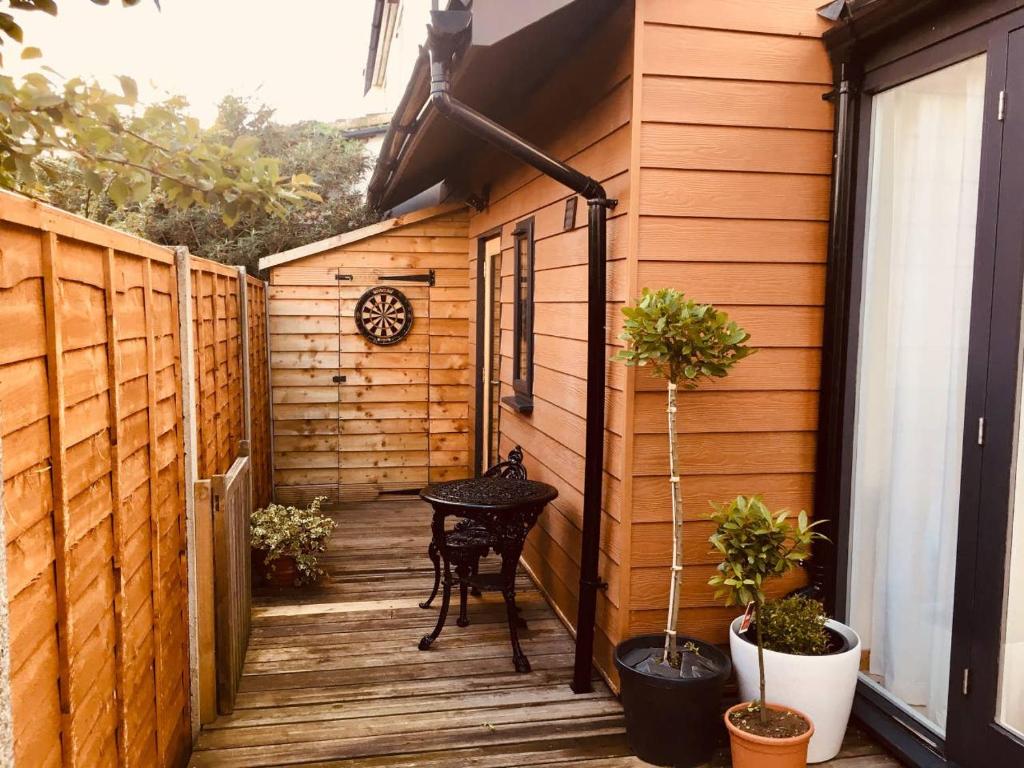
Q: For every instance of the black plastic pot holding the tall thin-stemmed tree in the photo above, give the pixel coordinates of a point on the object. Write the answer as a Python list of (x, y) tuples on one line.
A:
[(672, 722)]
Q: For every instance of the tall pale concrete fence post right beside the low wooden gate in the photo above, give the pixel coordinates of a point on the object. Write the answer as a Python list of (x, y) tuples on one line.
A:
[(188, 352)]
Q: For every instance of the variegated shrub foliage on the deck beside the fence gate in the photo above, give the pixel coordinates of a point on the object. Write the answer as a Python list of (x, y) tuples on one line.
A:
[(292, 532)]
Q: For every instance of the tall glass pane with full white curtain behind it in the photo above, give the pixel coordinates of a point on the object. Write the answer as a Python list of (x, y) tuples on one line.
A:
[(912, 380)]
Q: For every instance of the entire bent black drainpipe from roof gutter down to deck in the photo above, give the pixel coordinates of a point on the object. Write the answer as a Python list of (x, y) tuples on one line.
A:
[(447, 30)]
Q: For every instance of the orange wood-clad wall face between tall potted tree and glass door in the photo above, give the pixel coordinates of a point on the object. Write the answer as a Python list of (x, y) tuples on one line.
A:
[(734, 152)]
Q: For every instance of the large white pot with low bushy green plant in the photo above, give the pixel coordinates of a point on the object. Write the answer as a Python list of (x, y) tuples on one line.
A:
[(812, 664)]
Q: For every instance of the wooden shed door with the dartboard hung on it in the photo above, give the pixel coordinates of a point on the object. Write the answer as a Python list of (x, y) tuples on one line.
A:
[(383, 441)]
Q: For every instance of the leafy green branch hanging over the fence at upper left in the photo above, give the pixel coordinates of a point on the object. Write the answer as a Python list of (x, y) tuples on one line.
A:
[(125, 149)]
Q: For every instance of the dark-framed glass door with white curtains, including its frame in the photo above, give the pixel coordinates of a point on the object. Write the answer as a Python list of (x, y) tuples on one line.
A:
[(935, 544)]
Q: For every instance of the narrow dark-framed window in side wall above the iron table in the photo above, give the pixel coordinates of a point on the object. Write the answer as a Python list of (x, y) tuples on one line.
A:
[(523, 340)]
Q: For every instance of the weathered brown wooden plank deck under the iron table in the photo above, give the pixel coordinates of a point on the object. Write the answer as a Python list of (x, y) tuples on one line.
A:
[(333, 676)]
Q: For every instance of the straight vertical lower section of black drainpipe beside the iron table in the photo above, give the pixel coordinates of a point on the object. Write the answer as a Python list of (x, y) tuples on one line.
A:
[(593, 482)]
